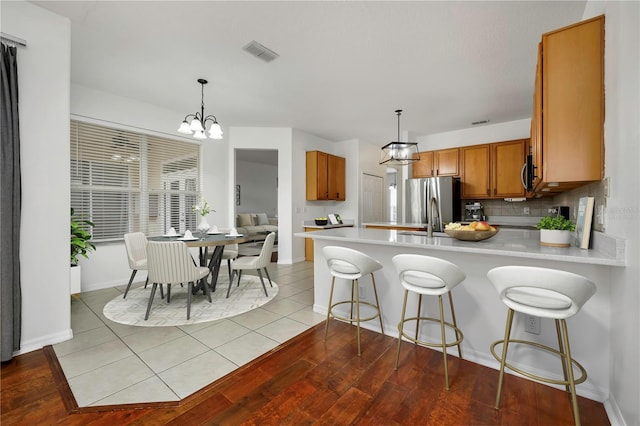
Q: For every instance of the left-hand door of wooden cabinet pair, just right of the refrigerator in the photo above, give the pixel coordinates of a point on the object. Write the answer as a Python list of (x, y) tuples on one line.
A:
[(475, 164)]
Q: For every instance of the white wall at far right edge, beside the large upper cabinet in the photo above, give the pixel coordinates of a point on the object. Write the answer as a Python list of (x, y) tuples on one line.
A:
[(622, 156)]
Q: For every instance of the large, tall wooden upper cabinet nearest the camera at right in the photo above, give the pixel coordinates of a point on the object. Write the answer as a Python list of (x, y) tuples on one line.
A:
[(567, 133)]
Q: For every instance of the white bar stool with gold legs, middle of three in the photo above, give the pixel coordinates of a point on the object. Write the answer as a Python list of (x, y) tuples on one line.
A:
[(429, 276)]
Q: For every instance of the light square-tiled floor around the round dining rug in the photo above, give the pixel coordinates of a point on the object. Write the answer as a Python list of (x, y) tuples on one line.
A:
[(109, 363)]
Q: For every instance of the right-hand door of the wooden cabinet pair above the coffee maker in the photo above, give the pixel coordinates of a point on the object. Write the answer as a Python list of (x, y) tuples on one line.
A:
[(507, 159)]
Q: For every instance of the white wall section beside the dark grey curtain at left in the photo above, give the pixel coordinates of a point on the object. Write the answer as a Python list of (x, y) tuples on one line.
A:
[(43, 78)]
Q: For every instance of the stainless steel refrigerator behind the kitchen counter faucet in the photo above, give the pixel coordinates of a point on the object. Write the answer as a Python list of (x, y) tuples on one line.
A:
[(442, 194)]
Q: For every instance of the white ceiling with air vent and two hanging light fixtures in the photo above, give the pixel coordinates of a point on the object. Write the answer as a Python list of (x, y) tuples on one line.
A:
[(344, 66)]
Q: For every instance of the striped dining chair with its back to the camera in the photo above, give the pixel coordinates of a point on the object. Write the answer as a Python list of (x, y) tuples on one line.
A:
[(171, 263)]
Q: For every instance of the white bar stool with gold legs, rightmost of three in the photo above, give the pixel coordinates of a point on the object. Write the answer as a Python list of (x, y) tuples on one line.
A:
[(545, 293)]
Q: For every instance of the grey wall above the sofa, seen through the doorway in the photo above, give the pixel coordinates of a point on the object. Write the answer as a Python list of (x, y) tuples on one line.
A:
[(258, 187)]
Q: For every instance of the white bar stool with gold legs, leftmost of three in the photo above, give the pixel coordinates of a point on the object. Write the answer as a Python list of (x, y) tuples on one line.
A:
[(351, 265)]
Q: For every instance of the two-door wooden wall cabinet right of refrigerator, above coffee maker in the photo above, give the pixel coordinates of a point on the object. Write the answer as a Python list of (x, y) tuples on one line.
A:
[(493, 170)]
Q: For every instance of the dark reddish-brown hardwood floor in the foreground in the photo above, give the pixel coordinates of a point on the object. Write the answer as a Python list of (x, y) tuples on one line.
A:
[(306, 382)]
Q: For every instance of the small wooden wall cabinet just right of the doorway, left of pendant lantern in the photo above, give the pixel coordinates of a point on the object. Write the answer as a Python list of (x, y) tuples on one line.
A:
[(325, 176)]
